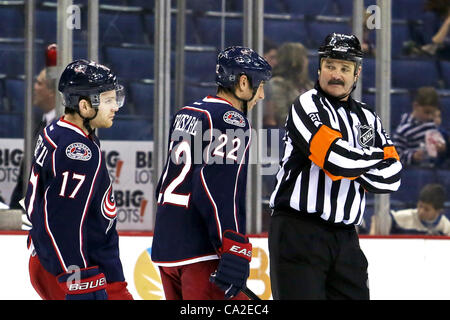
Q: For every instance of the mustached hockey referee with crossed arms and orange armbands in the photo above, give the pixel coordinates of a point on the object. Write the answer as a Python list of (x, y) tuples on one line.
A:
[(336, 150)]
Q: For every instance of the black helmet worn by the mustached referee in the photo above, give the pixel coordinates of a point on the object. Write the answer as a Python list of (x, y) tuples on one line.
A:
[(342, 47)]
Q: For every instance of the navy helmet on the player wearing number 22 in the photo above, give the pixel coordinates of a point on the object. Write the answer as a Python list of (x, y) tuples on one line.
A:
[(236, 61)]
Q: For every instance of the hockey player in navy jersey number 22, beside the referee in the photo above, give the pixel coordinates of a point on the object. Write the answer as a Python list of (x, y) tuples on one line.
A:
[(199, 239)]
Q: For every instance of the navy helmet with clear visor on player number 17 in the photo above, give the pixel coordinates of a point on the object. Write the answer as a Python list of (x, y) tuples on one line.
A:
[(82, 78)]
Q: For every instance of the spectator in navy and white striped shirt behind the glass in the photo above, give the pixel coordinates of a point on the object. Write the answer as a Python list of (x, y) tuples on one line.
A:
[(417, 128)]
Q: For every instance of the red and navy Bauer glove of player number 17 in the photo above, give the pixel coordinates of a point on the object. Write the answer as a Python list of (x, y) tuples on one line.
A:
[(88, 284)]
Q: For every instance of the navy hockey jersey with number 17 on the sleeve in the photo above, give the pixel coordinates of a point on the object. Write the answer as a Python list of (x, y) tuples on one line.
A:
[(70, 203)]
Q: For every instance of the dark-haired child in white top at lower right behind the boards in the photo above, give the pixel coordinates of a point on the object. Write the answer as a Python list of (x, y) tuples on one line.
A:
[(427, 218)]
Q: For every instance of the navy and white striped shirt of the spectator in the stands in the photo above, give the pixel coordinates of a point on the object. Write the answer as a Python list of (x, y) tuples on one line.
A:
[(409, 136)]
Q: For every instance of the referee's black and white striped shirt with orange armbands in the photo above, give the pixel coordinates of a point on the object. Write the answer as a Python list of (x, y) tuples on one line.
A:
[(334, 152)]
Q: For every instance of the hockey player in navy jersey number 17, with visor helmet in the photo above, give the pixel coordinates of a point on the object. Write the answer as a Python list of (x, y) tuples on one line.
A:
[(69, 199)]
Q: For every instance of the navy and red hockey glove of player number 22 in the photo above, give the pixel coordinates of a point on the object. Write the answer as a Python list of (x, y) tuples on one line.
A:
[(234, 264)]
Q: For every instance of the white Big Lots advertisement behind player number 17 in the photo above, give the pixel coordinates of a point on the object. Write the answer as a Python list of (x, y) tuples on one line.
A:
[(130, 167)]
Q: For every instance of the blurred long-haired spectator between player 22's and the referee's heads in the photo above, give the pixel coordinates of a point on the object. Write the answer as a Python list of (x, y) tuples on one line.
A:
[(290, 79)]
